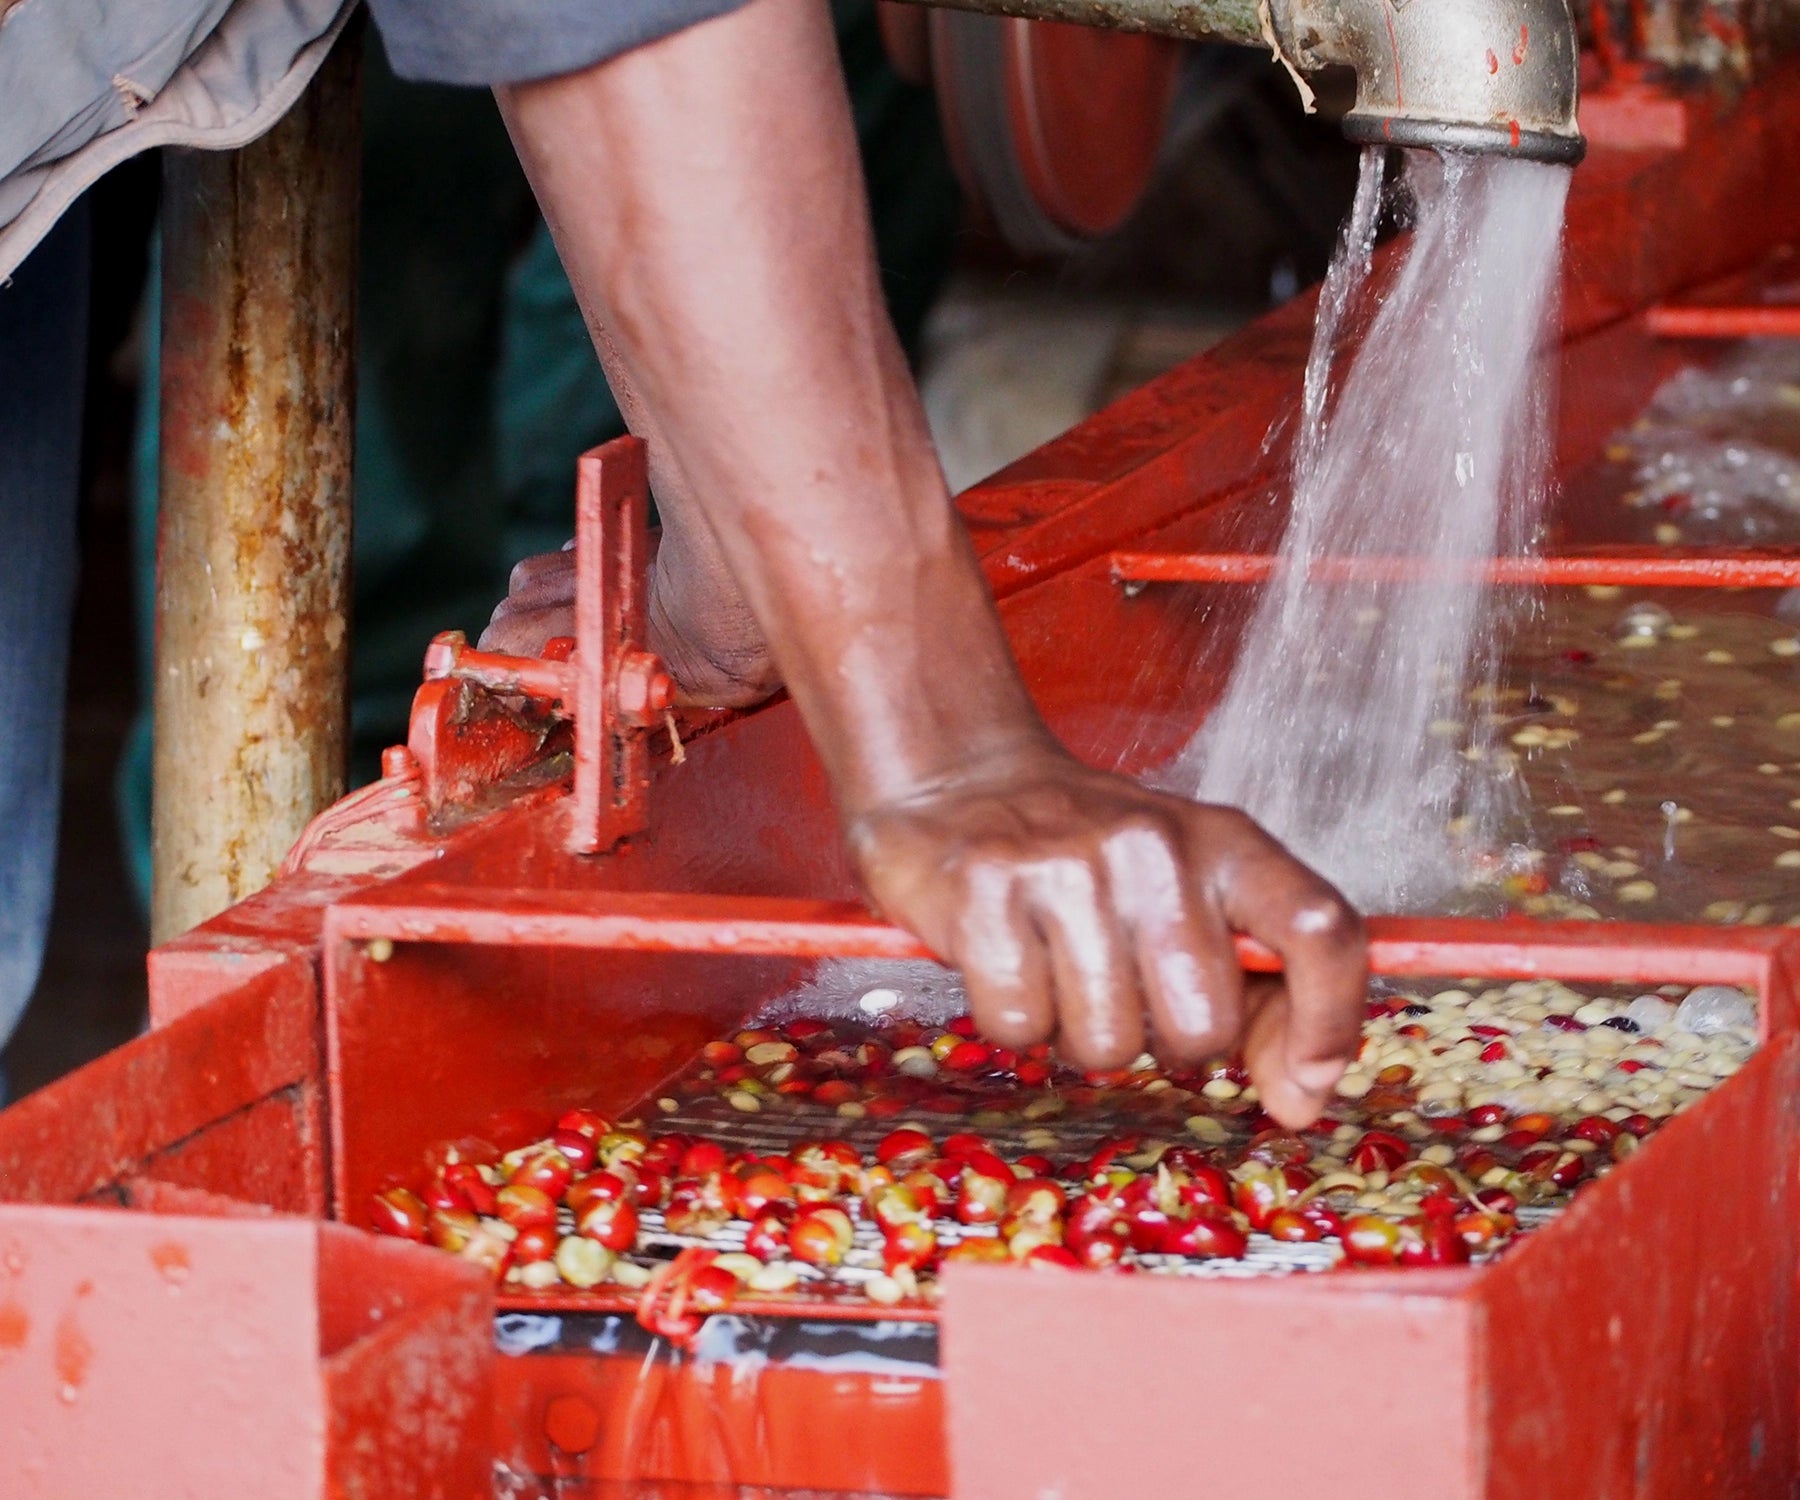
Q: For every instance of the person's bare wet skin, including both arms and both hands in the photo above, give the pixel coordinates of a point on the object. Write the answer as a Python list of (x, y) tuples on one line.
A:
[(706, 199)]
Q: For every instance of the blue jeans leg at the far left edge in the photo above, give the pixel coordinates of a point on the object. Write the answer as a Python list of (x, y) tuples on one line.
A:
[(44, 332)]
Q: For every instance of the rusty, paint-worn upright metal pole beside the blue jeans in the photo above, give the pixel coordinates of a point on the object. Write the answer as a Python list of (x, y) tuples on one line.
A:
[(253, 534)]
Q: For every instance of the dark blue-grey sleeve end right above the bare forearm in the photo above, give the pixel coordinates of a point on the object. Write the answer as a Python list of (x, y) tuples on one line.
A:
[(516, 41)]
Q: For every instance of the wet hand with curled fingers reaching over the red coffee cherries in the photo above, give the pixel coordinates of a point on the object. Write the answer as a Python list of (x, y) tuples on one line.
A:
[(1079, 903)]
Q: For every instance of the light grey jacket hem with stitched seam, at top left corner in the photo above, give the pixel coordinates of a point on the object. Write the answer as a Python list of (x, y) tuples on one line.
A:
[(89, 84)]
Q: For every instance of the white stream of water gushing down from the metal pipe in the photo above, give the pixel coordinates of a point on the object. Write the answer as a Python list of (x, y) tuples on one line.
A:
[(1340, 727)]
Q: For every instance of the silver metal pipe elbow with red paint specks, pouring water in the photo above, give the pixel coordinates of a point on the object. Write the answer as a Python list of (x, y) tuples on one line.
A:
[(1491, 77)]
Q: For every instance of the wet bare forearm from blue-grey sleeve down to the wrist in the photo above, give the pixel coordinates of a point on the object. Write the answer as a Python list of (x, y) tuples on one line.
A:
[(706, 199)]
